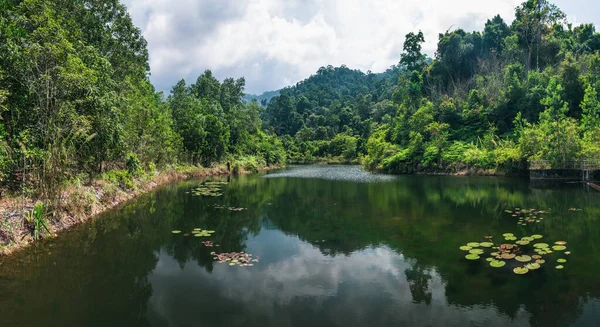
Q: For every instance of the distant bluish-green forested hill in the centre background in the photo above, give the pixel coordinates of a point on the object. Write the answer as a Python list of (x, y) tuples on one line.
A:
[(333, 103)]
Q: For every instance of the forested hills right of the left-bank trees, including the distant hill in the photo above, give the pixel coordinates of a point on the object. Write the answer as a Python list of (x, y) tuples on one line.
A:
[(495, 99)]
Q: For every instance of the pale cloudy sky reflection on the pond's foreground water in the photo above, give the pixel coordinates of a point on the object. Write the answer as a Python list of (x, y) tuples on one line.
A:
[(301, 286)]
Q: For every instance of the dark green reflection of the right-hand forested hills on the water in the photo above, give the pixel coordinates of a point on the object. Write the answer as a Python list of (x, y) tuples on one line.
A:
[(427, 218)]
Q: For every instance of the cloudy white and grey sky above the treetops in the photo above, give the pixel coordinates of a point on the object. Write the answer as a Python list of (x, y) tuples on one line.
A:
[(276, 43)]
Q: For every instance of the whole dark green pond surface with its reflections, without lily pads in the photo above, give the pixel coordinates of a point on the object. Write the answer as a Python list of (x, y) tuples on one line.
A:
[(337, 247)]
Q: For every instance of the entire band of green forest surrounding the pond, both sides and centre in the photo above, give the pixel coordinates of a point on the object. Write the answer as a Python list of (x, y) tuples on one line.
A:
[(77, 102)]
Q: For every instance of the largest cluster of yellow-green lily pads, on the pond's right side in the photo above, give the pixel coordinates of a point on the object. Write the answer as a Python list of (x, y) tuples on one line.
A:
[(521, 255)]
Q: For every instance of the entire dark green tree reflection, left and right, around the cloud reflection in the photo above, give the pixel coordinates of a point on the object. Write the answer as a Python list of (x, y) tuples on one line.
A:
[(424, 218)]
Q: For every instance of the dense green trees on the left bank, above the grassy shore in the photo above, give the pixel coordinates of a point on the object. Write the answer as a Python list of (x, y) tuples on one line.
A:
[(76, 101)]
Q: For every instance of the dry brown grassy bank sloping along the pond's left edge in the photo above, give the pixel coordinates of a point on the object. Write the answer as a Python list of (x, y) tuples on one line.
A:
[(81, 202)]
